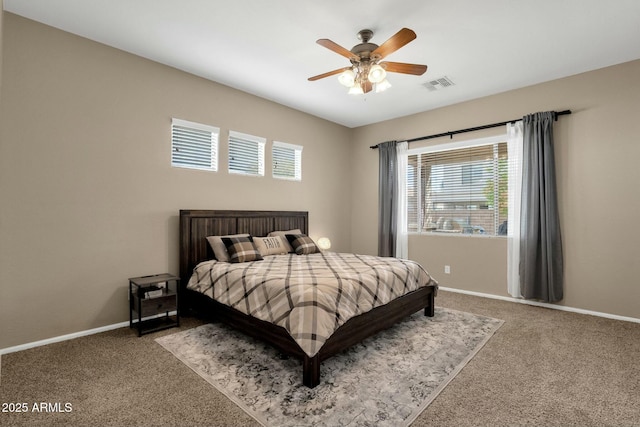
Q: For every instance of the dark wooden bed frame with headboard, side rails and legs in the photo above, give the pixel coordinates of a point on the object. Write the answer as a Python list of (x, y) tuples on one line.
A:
[(196, 225)]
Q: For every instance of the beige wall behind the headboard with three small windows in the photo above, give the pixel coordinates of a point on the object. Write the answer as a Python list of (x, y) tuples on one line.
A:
[(88, 197)]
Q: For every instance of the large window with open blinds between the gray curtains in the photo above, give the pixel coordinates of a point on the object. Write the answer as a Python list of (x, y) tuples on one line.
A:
[(458, 188)]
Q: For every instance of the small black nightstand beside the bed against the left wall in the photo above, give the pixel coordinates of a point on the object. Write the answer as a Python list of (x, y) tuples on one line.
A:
[(149, 298)]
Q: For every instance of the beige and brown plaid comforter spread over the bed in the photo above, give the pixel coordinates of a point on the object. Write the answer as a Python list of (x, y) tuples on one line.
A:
[(309, 295)]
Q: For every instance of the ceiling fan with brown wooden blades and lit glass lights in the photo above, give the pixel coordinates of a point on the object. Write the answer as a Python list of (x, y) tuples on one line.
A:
[(366, 70)]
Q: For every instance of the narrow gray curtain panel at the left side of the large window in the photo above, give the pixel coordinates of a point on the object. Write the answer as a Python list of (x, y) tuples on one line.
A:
[(387, 199)]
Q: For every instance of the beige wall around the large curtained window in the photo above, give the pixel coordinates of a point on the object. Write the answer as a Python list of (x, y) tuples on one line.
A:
[(597, 154)]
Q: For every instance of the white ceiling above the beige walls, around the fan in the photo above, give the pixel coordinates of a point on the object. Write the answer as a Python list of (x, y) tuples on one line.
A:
[(268, 48)]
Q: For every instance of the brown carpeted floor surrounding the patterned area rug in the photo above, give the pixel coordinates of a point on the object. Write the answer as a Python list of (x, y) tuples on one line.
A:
[(542, 367)]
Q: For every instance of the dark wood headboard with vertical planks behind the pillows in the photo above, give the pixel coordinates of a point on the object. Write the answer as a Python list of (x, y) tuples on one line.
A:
[(196, 225)]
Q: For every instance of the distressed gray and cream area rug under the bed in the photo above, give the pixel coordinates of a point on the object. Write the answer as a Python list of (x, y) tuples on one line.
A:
[(387, 380)]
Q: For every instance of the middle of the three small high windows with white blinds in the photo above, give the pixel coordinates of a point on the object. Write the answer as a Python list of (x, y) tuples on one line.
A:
[(246, 154)]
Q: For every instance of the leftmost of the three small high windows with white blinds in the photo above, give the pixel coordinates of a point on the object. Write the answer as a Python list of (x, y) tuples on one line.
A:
[(194, 145)]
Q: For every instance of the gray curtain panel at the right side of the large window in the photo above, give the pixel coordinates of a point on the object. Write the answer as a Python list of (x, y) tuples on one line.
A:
[(541, 275)]
